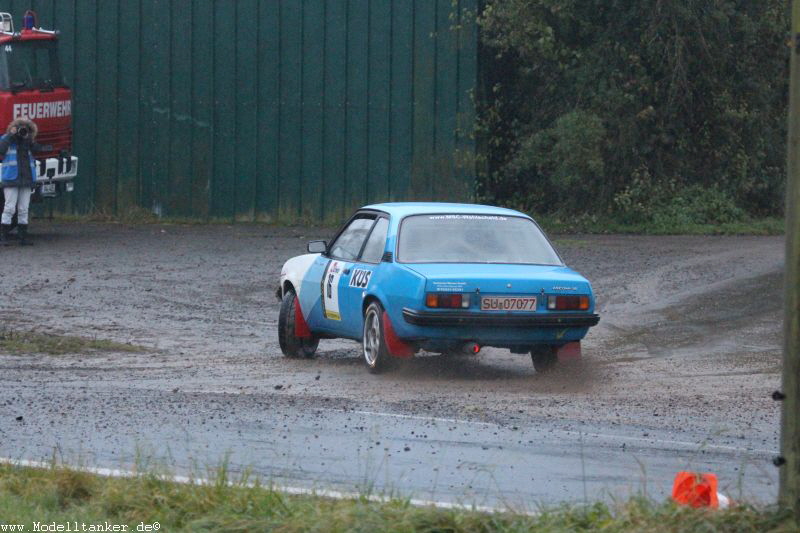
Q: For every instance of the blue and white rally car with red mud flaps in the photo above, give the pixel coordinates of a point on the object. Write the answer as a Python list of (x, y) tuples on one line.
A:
[(400, 277)]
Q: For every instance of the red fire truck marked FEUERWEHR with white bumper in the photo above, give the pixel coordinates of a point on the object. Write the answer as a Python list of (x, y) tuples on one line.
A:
[(32, 86)]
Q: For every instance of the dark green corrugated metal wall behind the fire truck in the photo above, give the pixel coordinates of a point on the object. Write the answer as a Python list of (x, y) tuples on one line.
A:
[(266, 109)]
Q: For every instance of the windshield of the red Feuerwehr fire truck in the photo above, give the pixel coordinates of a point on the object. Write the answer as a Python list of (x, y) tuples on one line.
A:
[(26, 65)]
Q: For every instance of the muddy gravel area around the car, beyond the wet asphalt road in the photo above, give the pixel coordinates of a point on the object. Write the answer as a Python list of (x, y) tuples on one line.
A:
[(689, 338)]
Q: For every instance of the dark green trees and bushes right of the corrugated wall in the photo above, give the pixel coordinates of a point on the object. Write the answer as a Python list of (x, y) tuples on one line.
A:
[(639, 111)]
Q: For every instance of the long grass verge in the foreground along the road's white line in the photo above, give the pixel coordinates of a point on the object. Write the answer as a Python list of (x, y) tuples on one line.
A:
[(62, 495)]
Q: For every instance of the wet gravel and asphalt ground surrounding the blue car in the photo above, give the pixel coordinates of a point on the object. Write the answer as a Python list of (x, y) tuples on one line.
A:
[(678, 373)]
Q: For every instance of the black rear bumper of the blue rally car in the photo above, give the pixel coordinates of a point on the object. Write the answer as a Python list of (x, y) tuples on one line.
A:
[(467, 318)]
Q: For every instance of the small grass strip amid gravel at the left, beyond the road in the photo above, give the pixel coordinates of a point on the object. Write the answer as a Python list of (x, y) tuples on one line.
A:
[(19, 343)]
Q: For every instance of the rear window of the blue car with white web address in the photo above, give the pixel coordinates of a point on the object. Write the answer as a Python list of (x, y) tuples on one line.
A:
[(466, 238)]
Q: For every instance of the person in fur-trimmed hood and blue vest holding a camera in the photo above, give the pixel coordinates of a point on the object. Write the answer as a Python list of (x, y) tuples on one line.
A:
[(18, 177)]
